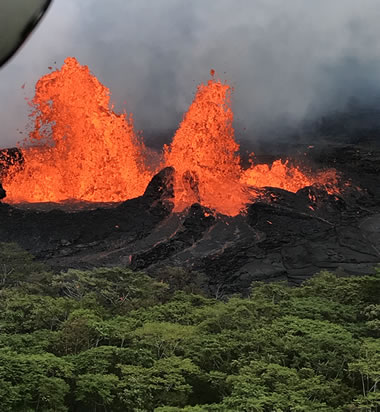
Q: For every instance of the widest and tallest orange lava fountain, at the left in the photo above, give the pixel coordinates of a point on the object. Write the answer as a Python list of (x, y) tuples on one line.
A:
[(80, 149)]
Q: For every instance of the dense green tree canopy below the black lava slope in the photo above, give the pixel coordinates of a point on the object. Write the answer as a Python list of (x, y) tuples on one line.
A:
[(111, 339)]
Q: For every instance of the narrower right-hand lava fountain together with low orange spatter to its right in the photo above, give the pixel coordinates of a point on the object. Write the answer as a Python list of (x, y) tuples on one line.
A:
[(205, 157)]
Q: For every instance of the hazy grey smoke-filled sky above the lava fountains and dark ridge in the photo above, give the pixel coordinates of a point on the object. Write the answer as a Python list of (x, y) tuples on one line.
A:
[(284, 58)]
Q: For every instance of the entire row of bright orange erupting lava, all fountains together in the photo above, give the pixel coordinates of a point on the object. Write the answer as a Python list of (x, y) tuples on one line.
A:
[(81, 149)]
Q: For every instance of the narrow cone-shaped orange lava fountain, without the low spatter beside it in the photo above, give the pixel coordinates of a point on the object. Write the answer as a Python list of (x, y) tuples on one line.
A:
[(204, 154)]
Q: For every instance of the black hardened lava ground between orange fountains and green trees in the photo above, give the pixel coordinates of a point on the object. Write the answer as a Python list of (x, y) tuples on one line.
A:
[(282, 236)]
